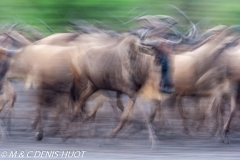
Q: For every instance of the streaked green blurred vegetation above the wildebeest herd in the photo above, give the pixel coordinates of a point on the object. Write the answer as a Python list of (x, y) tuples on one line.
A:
[(116, 14)]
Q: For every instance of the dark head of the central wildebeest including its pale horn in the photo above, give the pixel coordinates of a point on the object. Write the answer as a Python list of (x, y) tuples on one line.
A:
[(162, 57)]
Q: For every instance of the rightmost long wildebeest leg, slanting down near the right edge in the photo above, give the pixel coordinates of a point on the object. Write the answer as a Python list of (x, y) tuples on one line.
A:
[(232, 110)]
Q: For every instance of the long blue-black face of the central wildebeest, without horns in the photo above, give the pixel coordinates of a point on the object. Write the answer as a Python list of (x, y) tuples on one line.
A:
[(166, 84)]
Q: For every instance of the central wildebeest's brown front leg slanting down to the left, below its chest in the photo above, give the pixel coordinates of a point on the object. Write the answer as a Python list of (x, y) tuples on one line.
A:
[(125, 115)]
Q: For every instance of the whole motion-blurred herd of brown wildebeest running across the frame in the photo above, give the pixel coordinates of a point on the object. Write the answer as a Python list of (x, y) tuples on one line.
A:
[(153, 61)]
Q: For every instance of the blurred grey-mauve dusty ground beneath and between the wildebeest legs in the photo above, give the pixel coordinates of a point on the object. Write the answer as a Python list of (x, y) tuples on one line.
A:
[(131, 143)]
